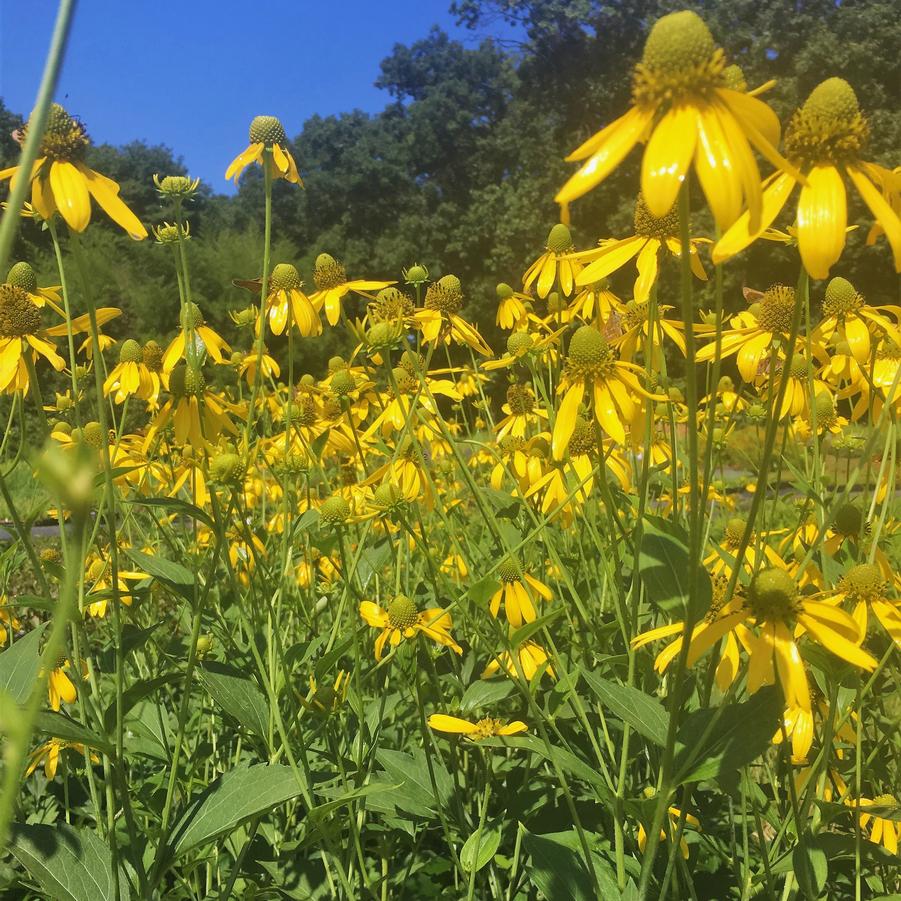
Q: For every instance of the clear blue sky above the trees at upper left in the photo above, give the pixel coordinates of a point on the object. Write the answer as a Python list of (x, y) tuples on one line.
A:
[(192, 74)]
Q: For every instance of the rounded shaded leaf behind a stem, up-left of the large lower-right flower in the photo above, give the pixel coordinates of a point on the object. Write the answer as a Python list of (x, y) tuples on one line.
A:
[(663, 566)]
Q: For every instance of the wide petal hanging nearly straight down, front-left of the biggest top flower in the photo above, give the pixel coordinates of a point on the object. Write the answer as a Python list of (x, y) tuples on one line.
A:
[(667, 158)]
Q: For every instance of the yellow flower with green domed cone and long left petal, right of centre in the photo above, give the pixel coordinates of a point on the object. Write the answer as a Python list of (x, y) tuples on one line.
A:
[(592, 365)]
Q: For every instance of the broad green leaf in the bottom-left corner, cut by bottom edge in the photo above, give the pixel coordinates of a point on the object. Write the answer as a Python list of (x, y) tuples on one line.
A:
[(68, 864)]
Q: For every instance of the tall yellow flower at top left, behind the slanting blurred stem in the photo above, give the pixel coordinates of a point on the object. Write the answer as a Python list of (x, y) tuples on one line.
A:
[(62, 182)]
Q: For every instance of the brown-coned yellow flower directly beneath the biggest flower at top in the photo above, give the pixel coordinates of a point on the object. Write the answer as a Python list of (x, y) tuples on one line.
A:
[(652, 237)]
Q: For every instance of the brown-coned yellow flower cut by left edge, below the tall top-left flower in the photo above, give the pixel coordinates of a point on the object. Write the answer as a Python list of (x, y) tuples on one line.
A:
[(21, 339)]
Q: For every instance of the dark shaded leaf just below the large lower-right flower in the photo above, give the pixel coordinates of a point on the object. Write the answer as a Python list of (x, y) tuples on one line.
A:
[(741, 733)]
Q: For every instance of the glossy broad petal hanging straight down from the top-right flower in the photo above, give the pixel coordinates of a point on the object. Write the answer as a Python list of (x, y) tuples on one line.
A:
[(822, 220)]
